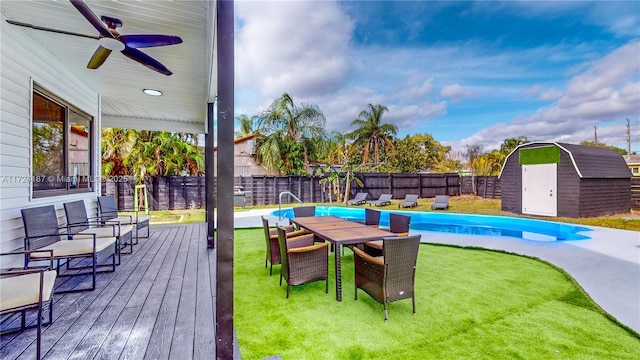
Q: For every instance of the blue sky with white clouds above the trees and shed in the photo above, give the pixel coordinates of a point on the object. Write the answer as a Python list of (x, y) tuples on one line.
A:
[(465, 72)]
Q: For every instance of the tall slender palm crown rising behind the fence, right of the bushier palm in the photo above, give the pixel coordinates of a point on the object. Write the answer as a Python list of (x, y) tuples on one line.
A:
[(372, 134)]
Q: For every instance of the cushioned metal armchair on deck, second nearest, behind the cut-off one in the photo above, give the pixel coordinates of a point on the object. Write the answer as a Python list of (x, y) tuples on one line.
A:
[(42, 232)]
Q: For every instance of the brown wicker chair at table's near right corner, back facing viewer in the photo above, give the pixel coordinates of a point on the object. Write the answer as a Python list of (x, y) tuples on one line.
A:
[(390, 277)]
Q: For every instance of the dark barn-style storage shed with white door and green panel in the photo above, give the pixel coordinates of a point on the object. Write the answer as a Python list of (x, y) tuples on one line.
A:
[(567, 180)]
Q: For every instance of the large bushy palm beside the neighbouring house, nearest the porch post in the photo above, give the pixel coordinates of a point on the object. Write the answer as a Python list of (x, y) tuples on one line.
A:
[(290, 132)]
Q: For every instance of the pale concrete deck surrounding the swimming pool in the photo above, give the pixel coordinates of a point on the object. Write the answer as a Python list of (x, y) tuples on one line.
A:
[(607, 266)]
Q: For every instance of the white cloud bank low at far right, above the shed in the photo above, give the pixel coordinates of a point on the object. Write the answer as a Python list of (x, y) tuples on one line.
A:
[(608, 91)]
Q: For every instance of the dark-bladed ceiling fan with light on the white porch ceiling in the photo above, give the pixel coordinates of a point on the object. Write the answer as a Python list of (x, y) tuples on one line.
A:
[(111, 40)]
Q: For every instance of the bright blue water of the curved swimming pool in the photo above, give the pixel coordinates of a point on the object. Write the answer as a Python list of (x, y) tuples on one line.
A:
[(528, 229)]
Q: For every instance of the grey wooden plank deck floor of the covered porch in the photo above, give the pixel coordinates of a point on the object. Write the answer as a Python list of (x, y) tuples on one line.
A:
[(158, 304)]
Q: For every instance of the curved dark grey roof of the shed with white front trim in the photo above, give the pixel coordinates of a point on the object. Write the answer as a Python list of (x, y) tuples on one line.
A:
[(590, 161)]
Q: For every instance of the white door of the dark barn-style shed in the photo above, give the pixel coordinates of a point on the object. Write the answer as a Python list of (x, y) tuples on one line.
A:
[(539, 188)]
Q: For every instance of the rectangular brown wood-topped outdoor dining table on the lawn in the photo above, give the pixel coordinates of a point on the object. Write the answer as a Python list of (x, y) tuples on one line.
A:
[(340, 232)]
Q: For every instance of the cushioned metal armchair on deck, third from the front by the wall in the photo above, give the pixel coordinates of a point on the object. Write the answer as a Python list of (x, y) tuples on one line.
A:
[(80, 225)]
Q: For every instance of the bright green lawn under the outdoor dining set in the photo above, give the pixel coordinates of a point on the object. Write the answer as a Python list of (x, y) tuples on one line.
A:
[(471, 304)]
